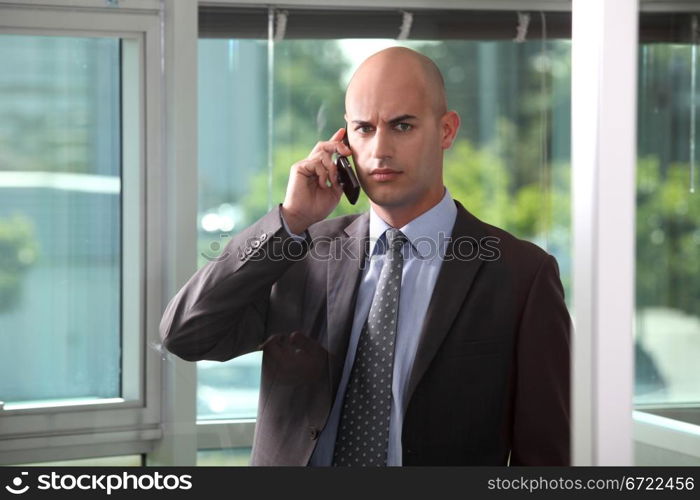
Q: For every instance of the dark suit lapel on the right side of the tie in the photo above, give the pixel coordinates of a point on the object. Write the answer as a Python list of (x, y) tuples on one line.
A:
[(453, 283)]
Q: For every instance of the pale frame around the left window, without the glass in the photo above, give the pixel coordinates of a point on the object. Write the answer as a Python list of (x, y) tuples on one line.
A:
[(129, 424)]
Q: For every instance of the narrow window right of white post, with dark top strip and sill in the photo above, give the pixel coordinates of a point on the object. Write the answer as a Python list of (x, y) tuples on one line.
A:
[(667, 324)]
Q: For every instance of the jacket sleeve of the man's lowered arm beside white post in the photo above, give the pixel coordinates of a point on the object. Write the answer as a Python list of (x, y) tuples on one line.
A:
[(541, 423)]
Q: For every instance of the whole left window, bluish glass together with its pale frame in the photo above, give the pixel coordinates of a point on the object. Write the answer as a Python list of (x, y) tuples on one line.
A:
[(76, 313)]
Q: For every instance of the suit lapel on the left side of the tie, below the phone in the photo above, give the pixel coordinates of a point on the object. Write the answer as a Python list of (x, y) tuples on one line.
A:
[(344, 273)]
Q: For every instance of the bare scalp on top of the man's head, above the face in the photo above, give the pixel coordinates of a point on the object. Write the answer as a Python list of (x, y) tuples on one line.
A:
[(401, 68)]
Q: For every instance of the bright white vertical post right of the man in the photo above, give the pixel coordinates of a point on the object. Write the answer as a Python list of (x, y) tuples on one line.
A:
[(604, 104)]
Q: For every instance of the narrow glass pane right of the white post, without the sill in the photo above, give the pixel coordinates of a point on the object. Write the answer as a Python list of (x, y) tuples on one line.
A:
[(667, 329)]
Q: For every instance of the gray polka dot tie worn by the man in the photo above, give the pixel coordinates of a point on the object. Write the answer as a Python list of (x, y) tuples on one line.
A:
[(363, 433)]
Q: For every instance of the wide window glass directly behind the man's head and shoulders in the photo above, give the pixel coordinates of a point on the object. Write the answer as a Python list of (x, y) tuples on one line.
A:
[(509, 166)]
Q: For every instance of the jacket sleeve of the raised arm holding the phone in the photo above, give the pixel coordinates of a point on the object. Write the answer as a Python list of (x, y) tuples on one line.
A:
[(221, 311)]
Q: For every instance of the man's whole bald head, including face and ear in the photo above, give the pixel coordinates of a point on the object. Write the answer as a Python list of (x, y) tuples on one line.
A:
[(398, 129)]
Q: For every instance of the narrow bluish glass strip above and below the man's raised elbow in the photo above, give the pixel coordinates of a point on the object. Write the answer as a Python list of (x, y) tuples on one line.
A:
[(232, 150)]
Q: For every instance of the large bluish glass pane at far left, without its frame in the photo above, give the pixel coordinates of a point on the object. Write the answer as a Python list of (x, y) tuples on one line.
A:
[(60, 219)]
